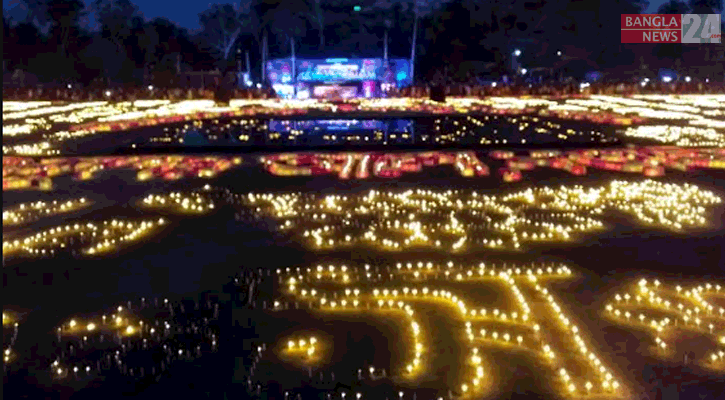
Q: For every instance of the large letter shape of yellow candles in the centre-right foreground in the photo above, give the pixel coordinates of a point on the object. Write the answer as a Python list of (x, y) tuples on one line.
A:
[(396, 298)]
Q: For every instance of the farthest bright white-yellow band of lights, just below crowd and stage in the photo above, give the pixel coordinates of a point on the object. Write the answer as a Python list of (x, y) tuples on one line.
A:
[(596, 108)]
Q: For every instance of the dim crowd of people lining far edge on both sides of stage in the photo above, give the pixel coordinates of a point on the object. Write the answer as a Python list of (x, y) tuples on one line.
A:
[(472, 88)]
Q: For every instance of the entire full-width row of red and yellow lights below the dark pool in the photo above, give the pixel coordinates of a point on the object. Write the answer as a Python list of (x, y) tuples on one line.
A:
[(20, 172)]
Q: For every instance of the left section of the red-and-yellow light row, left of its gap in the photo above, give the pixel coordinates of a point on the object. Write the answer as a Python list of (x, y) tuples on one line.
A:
[(20, 172)]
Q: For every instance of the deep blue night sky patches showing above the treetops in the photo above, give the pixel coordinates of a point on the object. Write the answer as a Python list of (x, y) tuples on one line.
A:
[(187, 16)]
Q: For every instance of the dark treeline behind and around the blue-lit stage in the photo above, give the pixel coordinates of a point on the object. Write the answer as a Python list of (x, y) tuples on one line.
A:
[(55, 42)]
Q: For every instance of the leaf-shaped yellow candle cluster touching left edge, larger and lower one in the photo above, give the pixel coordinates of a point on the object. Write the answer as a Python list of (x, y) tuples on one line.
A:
[(99, 237)]
